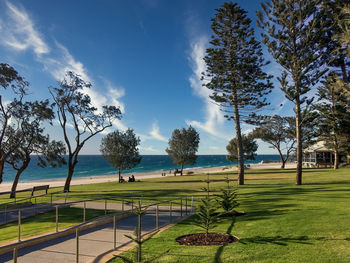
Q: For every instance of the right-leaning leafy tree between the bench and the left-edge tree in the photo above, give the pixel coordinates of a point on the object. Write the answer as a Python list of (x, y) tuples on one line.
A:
[(34, 142)]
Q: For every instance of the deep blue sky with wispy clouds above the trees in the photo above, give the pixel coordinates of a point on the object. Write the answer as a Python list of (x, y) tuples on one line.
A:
[(144, 56)]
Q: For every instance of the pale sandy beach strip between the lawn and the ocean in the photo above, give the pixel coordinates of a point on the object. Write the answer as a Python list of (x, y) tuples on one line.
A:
[(5, 187)]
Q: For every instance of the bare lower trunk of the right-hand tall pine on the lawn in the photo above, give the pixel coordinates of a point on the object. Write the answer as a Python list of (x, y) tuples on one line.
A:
[(299, 137)]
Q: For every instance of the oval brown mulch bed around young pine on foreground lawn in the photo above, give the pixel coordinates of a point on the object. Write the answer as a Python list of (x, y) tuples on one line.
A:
[(202, 239)]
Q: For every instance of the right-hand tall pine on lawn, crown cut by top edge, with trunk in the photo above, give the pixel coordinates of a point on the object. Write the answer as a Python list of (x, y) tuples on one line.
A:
[(293, 33)]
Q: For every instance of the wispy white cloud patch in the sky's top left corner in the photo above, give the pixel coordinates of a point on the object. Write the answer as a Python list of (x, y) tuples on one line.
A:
[(21, 35)]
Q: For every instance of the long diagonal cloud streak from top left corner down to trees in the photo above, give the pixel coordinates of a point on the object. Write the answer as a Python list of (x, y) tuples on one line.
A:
[(20, 34)]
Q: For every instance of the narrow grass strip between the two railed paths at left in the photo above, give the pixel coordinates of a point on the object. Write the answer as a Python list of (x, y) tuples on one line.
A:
[(46, 222)]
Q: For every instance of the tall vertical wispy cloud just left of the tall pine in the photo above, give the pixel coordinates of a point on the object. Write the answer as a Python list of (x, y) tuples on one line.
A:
[(213, 115)]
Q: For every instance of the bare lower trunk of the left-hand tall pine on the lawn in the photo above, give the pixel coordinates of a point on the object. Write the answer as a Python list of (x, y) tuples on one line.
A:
[(239, 141)]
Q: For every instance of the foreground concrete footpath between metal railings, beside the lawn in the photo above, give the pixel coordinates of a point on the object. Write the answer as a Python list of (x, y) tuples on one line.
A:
[(92, 242)]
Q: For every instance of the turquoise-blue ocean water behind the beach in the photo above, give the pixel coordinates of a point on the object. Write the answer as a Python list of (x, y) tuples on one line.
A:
[(96, 165)]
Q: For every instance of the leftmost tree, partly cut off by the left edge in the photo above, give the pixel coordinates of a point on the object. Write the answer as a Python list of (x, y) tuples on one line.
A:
[(16, 88)]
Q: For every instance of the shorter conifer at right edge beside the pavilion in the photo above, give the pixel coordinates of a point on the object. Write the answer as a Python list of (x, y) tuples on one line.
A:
[(333, 118)]
